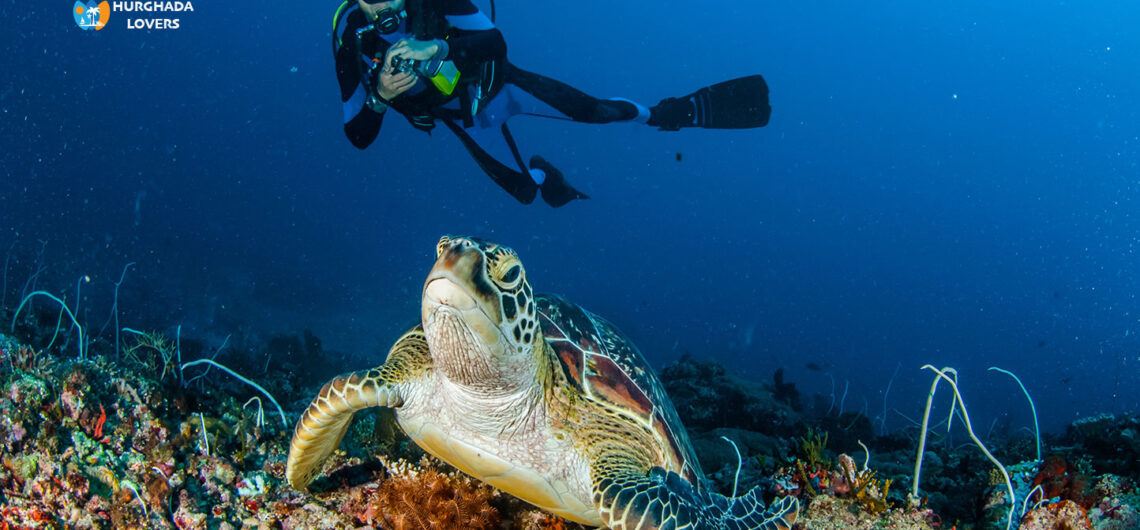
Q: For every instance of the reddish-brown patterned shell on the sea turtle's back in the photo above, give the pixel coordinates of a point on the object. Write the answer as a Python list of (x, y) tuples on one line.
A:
[(606, 366)]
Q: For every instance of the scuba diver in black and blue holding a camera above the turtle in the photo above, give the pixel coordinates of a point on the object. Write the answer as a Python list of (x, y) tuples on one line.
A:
[(444, 61)]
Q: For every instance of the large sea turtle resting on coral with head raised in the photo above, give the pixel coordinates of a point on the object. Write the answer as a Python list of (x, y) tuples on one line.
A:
[(538, 397)]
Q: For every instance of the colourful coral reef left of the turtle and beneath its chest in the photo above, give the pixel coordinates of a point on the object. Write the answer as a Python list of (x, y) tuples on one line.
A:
[(95, 444)]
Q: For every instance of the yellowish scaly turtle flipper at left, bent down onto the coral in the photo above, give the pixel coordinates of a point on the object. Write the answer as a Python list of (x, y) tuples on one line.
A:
[(323, 426)]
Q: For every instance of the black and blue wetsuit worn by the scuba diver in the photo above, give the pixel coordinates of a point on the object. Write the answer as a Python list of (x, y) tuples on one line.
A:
[(491, 92)]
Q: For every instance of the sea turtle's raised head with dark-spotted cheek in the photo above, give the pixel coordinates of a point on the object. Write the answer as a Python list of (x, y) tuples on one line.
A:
[(479, 314)]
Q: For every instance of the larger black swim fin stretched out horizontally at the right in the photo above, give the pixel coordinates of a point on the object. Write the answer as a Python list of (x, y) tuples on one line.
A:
[(736, 104)]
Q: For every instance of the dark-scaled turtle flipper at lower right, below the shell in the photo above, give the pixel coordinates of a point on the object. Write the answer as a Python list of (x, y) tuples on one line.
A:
[(662, 500)]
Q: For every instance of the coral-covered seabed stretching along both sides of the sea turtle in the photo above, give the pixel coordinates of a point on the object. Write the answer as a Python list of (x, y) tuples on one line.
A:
[(140, 444)]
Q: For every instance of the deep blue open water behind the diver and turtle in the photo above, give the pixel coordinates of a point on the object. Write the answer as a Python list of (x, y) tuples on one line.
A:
[(952, 184)]
